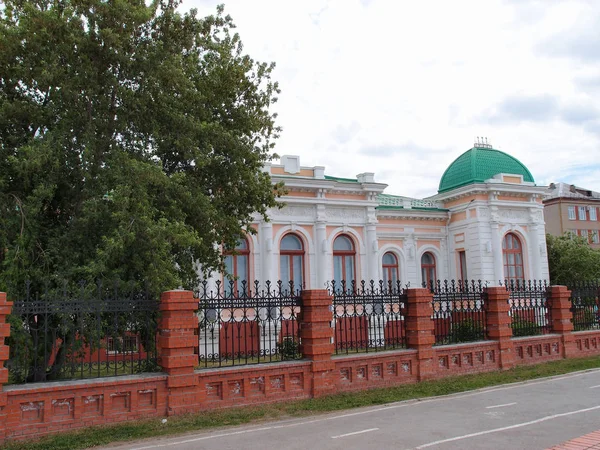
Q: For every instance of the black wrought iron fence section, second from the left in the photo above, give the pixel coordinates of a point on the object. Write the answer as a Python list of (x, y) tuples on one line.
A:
[(240, 324)]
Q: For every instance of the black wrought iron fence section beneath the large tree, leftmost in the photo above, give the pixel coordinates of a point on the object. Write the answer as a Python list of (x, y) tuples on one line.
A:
[(85, 332)]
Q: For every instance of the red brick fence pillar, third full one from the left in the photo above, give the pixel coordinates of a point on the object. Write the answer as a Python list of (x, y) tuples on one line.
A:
[(420, 331)]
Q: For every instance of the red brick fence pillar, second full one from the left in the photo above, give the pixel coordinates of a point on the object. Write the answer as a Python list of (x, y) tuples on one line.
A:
[(316, 338)]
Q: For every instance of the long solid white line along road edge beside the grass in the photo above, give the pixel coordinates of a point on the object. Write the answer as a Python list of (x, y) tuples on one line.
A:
[(369, 411)]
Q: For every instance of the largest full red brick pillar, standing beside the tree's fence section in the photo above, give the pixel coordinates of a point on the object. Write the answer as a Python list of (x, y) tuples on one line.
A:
[(177, 341)]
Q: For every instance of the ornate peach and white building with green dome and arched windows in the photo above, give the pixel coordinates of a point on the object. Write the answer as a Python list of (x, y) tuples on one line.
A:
[(485, 223)]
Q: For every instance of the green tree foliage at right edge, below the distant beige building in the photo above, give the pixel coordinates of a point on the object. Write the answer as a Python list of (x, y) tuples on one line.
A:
[(572, 259)]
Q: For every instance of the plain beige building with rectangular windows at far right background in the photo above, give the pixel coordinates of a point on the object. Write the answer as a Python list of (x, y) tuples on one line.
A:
[(568, 208)]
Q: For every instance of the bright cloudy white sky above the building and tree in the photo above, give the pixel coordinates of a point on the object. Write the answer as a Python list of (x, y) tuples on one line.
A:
[(402, 88)]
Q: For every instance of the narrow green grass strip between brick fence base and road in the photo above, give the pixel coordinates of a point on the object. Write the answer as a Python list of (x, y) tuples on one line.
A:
[(206, 420)]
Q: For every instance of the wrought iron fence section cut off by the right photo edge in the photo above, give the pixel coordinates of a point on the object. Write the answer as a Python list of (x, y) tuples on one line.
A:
[(585, 305)]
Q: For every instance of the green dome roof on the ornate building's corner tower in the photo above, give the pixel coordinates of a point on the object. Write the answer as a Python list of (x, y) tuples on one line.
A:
[(479, 164)]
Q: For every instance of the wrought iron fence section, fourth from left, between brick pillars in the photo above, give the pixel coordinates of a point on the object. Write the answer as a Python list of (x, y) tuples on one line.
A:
[(458, 311)]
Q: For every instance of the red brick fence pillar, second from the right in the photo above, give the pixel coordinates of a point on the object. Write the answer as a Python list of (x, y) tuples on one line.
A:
[(498, 324)]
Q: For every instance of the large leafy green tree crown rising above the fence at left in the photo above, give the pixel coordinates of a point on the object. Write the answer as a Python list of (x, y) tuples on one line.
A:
[(132, 138)]
